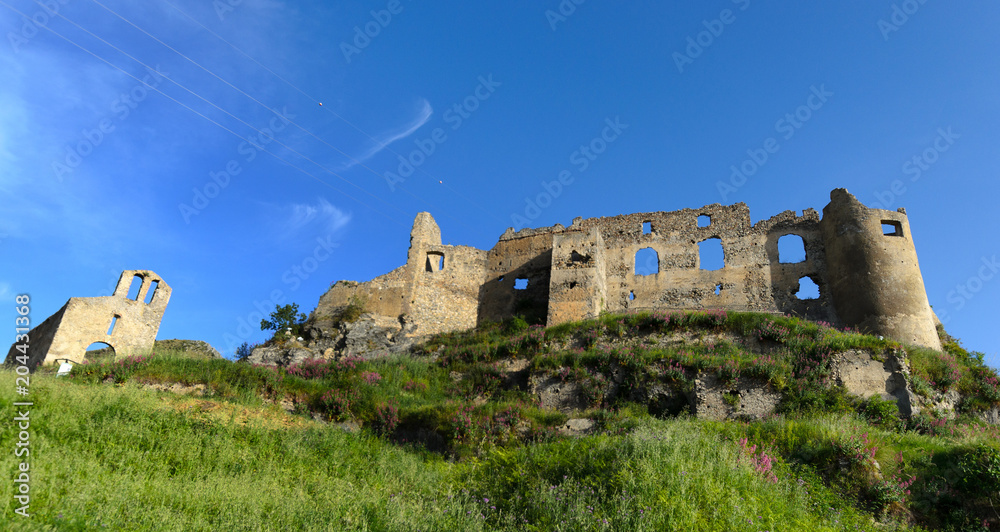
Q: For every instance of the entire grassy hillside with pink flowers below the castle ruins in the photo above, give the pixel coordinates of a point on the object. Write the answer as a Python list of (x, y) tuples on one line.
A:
[(452, 439)]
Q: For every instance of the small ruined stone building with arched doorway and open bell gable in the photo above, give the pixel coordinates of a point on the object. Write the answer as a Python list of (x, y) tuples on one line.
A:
[(128, 325)]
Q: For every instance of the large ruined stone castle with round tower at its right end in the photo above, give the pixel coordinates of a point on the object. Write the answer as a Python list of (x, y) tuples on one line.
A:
[(863, 261)]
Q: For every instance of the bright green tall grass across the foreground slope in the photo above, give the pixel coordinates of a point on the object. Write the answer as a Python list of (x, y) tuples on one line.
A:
[(130, 459)]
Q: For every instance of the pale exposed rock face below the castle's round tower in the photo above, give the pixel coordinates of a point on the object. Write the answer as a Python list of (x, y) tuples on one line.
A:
[(866, 376)]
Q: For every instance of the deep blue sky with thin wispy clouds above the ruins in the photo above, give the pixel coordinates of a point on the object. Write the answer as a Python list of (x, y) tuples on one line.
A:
[(187, 137)]
